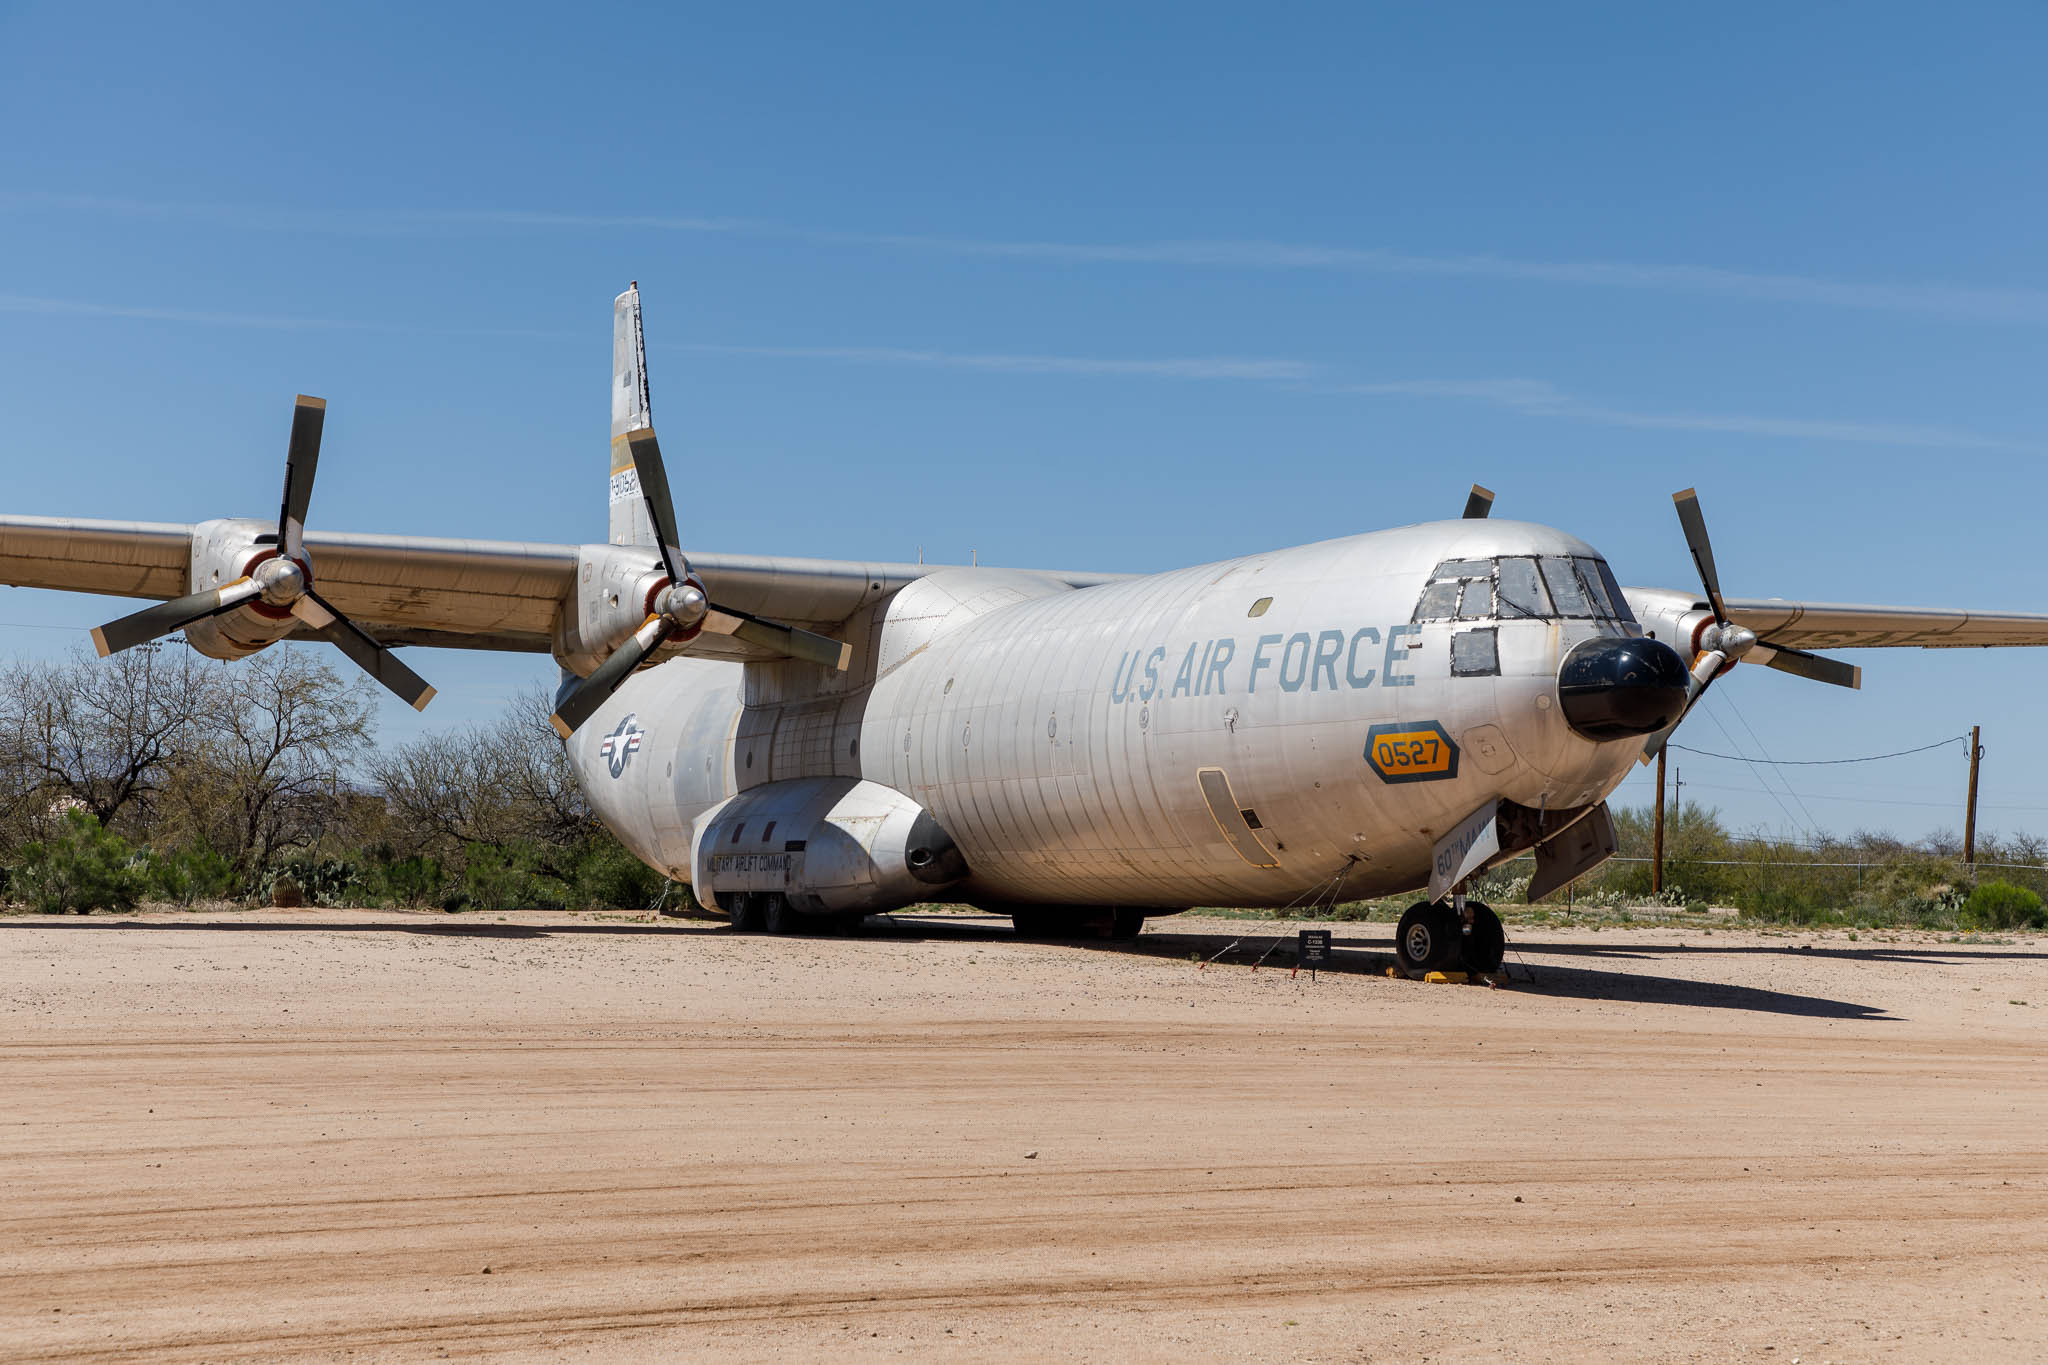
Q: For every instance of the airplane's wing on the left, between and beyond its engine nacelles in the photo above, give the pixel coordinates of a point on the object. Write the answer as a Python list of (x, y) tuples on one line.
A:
[(447, 592)]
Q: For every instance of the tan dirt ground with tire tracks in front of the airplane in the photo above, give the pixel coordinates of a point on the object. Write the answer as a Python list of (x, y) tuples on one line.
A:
[(333, 1135)]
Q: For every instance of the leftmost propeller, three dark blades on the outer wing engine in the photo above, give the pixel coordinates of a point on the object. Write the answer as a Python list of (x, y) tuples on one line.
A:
[(280, 582)]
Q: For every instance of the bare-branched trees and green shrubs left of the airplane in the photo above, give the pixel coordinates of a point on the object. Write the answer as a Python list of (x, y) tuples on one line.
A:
[(165, 777)]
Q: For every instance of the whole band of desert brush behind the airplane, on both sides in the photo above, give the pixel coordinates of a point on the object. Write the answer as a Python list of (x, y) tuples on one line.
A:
[(171, 779)]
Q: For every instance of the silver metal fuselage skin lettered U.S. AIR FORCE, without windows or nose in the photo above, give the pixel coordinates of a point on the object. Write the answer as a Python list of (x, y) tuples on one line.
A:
[(1054, 736)]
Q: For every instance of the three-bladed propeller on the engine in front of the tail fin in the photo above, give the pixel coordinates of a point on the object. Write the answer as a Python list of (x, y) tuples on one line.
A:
[(681, 607)]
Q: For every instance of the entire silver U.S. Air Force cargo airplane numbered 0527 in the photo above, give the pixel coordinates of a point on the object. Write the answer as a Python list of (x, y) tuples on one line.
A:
[(812, 742)]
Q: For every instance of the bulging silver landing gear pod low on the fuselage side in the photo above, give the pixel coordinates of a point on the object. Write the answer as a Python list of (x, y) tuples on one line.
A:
[(828, 844)]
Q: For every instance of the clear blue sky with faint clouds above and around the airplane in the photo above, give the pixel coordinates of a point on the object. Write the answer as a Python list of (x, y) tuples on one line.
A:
[(1074, 288)]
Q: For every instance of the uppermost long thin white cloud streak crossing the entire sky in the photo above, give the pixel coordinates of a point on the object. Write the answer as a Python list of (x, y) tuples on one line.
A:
[(1955, 302)]
